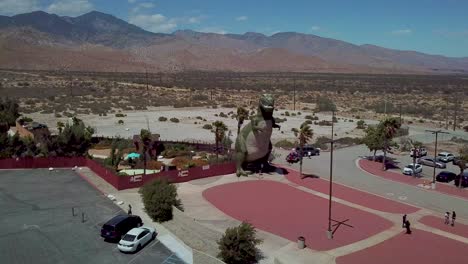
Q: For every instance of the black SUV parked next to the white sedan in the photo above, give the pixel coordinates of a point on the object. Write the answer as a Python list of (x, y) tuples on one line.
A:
[(118, 226)]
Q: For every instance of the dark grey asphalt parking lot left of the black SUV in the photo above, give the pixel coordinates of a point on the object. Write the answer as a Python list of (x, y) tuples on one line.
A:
[(37, 224)]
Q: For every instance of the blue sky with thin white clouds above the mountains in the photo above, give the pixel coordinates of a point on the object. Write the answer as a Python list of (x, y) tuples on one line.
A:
[(430, 26)]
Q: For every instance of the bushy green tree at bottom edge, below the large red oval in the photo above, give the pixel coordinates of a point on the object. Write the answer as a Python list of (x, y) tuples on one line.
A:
[(238, 245)]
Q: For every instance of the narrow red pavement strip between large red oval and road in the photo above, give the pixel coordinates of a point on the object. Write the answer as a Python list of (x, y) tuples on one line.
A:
[(351, 195)]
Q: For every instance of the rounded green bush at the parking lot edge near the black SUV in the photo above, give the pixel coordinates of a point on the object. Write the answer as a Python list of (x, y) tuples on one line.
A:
[(159, 197)]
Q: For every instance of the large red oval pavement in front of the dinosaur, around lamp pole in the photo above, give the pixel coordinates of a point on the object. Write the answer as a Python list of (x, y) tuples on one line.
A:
[(288, 212)]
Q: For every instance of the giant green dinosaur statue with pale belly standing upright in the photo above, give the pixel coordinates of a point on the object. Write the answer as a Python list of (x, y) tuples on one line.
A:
[(253, 143)]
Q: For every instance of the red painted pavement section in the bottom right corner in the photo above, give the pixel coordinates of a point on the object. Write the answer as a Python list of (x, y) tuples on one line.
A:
[(419, 247)]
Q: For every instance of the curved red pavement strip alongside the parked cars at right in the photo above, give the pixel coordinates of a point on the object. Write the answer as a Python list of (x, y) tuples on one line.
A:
[(375, 168)]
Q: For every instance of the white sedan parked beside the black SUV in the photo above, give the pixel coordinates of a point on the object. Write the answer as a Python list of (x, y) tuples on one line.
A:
[(136, 239)]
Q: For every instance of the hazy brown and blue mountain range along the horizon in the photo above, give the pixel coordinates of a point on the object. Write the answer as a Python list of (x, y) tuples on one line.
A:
[(101, 42)]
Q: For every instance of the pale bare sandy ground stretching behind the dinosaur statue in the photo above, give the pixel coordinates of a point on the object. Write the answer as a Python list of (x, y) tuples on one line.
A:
[(187, 130)]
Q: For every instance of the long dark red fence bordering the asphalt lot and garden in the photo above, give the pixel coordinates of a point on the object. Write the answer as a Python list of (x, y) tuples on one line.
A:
[(119, 182)]
